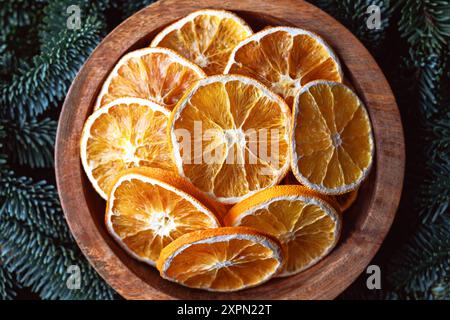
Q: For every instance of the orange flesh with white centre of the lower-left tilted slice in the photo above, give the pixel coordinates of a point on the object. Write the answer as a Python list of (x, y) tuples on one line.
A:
[(147, 217)]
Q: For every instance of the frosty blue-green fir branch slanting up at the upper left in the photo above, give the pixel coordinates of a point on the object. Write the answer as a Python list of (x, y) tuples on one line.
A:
[(31, 91)]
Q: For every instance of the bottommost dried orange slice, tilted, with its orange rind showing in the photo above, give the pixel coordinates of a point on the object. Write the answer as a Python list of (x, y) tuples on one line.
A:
[(223, 259)]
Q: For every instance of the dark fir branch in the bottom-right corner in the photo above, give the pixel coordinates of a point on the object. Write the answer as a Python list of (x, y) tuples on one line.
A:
[(423, 265)]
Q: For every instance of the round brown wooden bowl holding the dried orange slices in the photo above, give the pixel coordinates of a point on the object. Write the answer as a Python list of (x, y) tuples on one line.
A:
[(365, 225)]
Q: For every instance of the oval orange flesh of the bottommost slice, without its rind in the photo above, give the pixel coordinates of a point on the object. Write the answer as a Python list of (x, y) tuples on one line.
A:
[(223, 266)]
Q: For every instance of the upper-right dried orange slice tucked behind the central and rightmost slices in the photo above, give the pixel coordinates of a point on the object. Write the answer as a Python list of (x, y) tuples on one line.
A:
[(285, 59)]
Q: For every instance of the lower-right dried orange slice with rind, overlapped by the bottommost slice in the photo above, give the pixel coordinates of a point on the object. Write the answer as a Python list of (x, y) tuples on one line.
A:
[(302, 220)]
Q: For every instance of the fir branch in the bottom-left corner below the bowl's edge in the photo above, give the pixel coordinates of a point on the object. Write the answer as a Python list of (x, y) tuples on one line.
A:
[(41, 263)]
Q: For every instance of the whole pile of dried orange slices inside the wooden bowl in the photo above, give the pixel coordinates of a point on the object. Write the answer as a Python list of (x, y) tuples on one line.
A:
[(196, 132)]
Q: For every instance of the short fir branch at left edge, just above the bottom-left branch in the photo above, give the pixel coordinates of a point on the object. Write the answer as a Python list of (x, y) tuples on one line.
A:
[(33, 203)]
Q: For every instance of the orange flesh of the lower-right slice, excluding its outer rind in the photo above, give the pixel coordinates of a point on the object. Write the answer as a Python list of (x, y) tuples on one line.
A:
[(305, 229)]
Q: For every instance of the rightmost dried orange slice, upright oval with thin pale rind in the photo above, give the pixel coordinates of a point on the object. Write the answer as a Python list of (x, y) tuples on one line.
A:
[(332, 144)]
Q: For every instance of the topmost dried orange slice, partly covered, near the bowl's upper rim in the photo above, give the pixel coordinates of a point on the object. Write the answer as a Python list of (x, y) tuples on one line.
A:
[(205, 37)]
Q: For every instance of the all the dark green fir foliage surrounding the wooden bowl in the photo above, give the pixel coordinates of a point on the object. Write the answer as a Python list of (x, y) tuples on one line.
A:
[(39, 57)]
